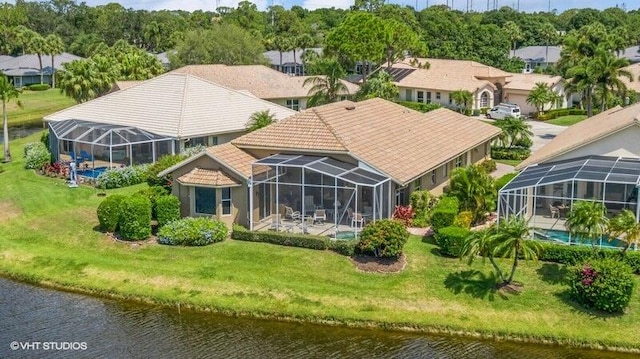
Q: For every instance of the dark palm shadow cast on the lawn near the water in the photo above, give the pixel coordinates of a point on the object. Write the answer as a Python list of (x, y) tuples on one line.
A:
[(474, 283)]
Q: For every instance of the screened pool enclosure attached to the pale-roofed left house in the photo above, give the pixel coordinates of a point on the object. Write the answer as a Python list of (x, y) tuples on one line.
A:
[(109, 143)]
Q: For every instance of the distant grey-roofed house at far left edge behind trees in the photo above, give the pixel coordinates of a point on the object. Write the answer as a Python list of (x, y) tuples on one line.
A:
[(25, 70)]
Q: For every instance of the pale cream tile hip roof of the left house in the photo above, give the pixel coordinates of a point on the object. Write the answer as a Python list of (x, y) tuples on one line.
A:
[(177, 105)]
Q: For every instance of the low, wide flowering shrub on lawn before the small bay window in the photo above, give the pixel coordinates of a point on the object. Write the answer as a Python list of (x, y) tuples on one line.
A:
[(191, 231)]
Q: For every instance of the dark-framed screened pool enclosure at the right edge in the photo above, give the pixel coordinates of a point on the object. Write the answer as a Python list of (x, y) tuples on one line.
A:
[(544, 193)]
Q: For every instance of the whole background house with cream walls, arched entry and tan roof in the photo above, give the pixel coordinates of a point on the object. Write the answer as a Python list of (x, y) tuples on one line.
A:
[(433, 81)]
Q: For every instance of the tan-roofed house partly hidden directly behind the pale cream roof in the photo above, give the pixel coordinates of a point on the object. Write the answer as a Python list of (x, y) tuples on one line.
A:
[(263, 82)]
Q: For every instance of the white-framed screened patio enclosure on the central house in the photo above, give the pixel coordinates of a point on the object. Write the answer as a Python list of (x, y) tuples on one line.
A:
[(306, 183)]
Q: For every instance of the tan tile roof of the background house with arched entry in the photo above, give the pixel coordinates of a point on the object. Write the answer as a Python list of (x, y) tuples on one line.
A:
[(449, 75)]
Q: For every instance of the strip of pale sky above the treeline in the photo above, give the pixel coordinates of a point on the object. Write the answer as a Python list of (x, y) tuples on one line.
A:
[(478, 5)]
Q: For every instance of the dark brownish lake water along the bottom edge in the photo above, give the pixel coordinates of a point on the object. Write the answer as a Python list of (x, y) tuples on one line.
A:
[(44, 323)]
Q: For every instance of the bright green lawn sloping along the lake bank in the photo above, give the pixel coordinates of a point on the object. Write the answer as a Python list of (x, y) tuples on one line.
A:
[(48, 237)]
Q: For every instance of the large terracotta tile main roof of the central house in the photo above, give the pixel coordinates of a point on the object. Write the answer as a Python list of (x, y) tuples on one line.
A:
[(397, 141)]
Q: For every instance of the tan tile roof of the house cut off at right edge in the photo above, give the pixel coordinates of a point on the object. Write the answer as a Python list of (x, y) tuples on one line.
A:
[(585, 132)]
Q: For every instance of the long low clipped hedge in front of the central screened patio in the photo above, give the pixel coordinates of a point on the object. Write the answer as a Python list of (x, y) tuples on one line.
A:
[(344, 247)]
